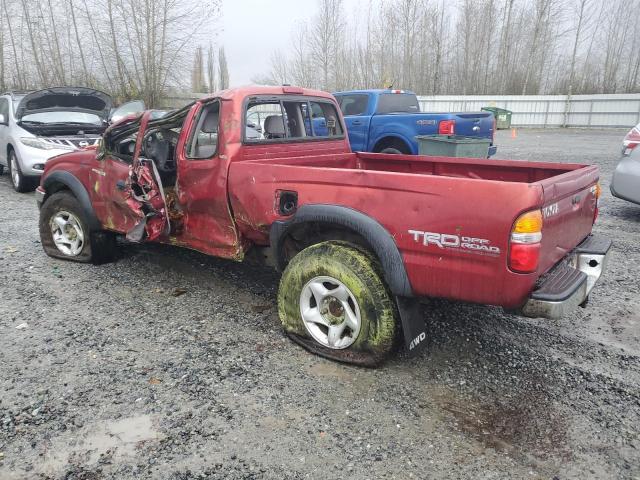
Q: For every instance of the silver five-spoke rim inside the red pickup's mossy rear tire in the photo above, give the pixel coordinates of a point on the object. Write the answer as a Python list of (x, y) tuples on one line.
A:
[(330, 312)]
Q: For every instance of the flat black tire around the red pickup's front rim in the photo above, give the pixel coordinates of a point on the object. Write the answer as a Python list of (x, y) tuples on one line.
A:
[(97, 246)]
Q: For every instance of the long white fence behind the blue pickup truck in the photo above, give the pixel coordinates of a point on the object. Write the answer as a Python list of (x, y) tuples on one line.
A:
[(615, 110)]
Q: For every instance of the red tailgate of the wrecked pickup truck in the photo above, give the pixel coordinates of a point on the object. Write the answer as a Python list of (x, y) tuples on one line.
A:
[(569, 209)]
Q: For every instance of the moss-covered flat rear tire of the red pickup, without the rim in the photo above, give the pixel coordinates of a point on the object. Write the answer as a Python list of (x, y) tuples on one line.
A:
[(360, 272)]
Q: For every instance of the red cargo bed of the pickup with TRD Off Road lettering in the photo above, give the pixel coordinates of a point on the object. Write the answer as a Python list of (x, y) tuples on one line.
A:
[(474, 198)]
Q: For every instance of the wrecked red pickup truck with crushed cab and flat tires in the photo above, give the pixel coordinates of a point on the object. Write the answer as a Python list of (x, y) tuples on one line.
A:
[(359, 237)]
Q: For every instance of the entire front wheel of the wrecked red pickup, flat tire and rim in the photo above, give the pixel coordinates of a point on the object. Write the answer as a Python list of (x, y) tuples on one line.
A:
[(65, 232)]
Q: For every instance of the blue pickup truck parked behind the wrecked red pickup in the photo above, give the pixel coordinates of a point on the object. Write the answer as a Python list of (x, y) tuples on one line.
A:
[(387, 121)]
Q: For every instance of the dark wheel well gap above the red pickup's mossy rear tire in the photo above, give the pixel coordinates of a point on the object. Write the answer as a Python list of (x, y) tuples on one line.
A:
[(310, 233)]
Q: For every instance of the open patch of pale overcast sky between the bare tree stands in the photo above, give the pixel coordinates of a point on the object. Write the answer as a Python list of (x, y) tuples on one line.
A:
[(255, 28)]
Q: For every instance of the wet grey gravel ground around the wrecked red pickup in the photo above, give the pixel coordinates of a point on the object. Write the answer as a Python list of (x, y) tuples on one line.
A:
[(169, 364)]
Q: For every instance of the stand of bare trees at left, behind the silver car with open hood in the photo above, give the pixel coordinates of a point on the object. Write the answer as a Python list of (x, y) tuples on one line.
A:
[(130, 48)]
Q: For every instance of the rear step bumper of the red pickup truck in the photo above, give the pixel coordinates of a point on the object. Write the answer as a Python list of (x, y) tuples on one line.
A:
[(569, 283)]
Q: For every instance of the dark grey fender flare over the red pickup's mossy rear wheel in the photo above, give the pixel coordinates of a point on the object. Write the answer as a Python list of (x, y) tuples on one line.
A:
[(376, 235)]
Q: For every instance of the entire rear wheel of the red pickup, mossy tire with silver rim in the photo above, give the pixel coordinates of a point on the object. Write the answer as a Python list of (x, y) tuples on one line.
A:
[(333, 301)]
